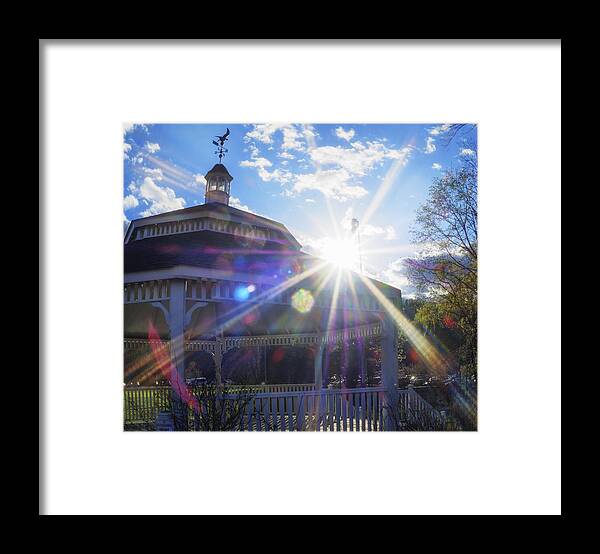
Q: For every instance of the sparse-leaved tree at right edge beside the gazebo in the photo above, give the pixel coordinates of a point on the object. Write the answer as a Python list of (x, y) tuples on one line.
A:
[(446, 272)]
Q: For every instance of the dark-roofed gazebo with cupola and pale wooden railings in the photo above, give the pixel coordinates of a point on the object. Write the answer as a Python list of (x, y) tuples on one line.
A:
[(214, 278)]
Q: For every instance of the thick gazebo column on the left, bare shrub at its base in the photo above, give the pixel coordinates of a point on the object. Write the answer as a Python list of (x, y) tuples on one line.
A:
[(177, 328)]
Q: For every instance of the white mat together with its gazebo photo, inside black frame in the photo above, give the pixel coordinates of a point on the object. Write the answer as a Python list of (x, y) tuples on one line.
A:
[(247, 244)]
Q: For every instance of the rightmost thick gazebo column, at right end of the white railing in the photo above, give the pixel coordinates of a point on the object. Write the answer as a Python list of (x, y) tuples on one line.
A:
[(389, 370)]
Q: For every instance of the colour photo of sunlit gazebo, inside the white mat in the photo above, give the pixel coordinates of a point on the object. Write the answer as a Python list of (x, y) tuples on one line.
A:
[(300, 276)]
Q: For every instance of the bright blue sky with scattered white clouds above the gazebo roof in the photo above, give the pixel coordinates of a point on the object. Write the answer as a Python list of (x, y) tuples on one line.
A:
[(314, 178)]
